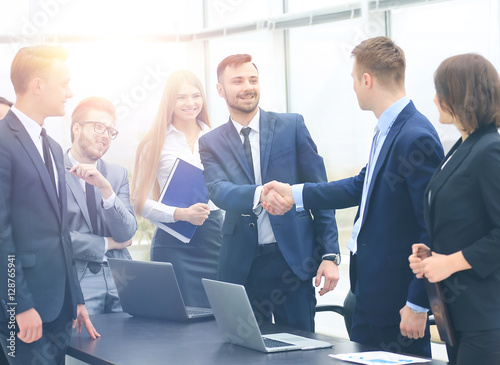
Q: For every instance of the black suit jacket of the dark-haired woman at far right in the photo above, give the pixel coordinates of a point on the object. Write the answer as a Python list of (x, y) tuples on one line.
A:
[(462, 213)]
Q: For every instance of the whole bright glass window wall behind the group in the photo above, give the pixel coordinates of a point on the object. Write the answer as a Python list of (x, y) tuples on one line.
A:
[(127, 56)]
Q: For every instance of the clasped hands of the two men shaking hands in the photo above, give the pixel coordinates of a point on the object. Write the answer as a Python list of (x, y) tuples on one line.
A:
[(277, 198)]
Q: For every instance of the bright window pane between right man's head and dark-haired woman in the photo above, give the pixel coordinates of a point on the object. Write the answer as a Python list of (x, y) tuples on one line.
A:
[(429, 34)]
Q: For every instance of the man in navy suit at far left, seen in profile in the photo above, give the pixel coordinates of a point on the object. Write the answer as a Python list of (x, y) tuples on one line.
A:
[(40, 293)]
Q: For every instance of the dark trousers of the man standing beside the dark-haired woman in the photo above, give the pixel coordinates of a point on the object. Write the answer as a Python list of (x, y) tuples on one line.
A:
[(387, 338)]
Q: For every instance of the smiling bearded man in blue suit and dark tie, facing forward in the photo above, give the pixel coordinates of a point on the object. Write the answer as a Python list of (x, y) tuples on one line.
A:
[(274, 257)]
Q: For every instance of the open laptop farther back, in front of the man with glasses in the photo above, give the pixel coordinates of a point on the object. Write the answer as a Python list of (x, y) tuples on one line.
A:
[(150, 289)]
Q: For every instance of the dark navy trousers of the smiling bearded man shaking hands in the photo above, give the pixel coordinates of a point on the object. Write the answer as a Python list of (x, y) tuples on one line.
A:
[(274, 290)]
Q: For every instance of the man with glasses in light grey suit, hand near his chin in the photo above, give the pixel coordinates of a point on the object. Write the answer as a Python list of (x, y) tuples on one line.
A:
[(101, 219)]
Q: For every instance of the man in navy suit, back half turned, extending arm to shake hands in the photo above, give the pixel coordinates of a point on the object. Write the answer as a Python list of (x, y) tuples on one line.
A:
[(391, 304)]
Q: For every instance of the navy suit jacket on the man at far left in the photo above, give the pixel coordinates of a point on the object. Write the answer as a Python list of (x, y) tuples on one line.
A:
[(34, 226)]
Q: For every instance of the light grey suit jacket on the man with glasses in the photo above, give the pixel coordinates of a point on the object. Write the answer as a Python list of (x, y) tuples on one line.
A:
[(118, 221)]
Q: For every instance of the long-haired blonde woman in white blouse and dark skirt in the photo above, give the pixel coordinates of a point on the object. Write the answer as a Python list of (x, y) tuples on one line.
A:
[(181, 120)]
